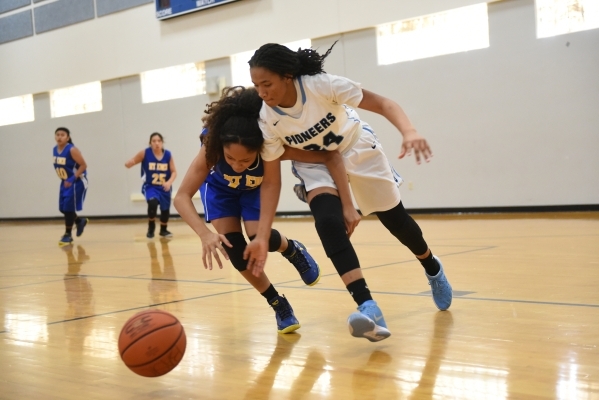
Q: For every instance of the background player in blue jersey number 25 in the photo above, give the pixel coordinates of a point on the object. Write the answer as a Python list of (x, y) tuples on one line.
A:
[(158, 173)]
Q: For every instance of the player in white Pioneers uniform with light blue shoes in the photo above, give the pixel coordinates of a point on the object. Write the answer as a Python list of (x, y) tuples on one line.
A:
[(306, 108)]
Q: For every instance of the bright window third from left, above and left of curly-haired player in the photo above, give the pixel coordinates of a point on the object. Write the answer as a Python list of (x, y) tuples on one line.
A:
[(173, 82)]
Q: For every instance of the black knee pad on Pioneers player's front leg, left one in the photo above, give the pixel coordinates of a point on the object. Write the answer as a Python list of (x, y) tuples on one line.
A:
[(330, 225)]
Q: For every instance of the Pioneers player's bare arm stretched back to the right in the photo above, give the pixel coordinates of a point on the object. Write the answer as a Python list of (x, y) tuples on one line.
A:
[(412, 141)]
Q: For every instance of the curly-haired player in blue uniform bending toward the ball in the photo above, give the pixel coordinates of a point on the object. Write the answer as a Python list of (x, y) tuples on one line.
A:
[(228, 172)]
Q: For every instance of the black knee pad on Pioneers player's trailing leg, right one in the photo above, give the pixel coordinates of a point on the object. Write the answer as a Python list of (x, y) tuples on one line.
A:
[(404, 228)]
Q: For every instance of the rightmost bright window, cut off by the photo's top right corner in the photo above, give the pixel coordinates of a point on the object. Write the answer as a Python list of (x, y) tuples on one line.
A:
[(556, 17)]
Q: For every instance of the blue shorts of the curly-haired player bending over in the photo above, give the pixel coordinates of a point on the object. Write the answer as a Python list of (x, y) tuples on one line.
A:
[(220, 201)]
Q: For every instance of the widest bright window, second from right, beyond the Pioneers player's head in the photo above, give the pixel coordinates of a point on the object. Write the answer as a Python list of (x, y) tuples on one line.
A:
[(448, 32)]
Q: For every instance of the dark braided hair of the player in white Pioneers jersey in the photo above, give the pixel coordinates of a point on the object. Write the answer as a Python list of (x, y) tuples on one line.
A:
[(288, 63)]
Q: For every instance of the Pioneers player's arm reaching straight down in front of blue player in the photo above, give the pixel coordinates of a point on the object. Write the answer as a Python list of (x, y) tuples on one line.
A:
[(270, 190)]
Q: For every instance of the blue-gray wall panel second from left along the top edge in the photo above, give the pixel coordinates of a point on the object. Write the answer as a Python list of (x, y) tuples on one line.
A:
[(62, 13)]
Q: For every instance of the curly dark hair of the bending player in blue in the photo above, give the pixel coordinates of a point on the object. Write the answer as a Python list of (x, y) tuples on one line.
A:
[(232, 119)]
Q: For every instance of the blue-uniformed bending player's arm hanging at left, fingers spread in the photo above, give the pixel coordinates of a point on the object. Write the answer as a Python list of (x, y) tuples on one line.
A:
[(211, 242)]
